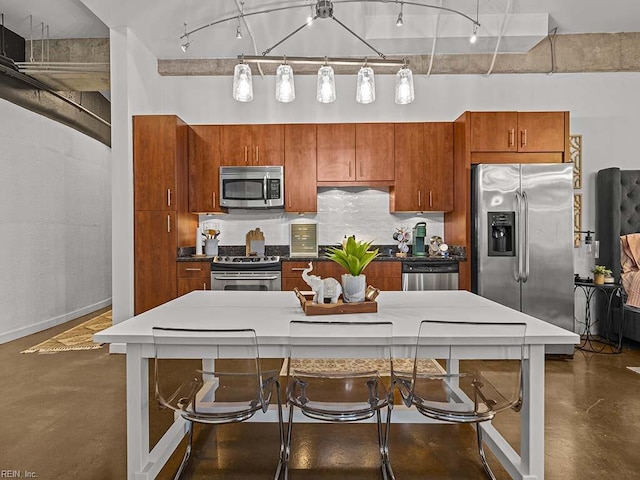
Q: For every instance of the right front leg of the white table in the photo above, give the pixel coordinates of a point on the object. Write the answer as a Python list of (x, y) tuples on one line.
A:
[(532, 415)]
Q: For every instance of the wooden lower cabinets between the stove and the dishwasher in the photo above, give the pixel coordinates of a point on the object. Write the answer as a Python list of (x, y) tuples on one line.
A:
[(385, 275)]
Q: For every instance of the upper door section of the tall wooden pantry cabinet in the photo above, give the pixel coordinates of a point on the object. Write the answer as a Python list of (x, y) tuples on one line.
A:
[(157, 152)]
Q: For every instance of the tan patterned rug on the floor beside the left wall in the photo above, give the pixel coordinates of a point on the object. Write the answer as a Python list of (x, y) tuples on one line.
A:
[(79, 337)]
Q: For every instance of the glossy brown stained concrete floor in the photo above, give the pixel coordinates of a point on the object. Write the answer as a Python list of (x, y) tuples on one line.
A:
[(64, 417)]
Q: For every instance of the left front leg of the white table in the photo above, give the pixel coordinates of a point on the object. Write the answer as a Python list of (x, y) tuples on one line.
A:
[(137, 411)]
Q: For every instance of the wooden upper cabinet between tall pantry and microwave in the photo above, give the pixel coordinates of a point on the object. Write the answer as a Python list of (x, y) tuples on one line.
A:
[(204, 163)]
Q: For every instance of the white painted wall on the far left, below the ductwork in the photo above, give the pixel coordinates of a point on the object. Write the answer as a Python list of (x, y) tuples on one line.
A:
[(55, 223)]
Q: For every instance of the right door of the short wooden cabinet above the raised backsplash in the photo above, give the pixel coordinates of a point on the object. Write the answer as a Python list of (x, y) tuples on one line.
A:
[(375, 152)]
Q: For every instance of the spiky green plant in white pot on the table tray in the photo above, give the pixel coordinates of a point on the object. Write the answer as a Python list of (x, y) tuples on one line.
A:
[(354, 256)]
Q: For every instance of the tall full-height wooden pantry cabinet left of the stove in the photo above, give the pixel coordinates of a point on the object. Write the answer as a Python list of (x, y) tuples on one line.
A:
[(162, 221)]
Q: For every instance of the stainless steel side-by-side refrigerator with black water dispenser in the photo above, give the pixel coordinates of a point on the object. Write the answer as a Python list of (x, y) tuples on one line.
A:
[(523, 239)]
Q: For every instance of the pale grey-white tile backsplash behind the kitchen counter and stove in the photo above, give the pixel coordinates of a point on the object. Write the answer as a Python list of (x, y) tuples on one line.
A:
[(363, 212)]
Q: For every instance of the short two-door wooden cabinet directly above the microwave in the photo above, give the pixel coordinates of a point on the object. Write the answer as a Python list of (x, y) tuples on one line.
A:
[(250, 145)]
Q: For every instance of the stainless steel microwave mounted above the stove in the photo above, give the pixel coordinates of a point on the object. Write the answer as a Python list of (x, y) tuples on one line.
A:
[(252, 187)]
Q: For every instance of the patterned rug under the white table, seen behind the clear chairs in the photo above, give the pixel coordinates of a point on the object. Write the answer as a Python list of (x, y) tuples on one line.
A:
[(324, 365)]
